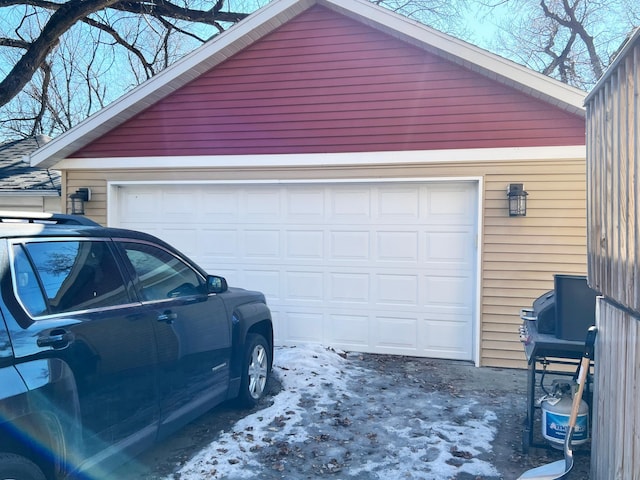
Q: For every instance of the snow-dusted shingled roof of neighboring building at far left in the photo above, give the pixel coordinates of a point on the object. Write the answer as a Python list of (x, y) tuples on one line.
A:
[(17, 174)]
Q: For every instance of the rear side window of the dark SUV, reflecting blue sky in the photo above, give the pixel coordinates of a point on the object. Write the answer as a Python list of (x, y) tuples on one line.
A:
[(64, 276)]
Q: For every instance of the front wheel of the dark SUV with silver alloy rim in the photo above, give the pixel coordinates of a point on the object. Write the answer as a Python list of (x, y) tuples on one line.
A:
[(256, 369)]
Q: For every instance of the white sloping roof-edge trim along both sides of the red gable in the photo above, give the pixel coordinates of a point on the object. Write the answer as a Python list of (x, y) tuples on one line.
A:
[(276, 14)]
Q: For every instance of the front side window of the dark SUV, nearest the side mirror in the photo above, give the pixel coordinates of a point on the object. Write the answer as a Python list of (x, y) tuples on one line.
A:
[(162, 275)]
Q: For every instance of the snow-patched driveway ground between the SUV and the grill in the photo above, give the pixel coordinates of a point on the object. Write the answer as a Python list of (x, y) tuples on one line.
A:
[(361, 416)]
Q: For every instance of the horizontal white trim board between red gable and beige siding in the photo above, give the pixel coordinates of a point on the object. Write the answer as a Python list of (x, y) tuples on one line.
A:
[(577, 152)]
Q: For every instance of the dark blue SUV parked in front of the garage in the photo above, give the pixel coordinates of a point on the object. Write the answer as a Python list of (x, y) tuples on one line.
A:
[(109, 340)]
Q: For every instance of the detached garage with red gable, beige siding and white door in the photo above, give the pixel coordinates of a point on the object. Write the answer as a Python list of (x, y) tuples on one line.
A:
[(353, 165)]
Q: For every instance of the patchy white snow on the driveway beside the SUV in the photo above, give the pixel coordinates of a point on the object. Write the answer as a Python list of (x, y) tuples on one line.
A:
[(333, 416)]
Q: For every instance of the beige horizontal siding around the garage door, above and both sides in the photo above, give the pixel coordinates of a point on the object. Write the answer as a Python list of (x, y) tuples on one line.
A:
[(520, 255)]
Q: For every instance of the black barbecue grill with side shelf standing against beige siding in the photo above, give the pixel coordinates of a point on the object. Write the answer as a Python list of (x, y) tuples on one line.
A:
[(553, 331)]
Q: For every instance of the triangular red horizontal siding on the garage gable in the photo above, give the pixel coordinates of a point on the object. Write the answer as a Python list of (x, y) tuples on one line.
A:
[(326, 83)]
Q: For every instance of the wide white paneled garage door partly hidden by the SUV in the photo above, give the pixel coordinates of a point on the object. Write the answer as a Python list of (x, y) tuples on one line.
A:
[(381, 268)]
